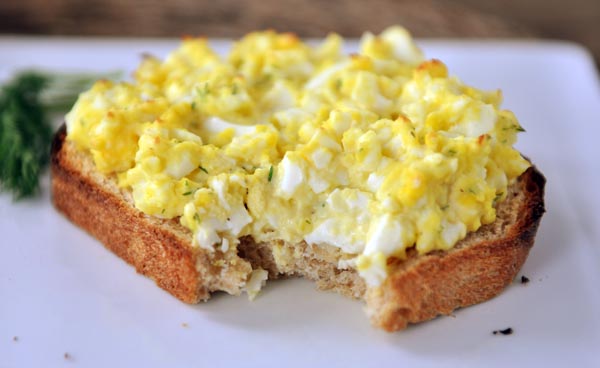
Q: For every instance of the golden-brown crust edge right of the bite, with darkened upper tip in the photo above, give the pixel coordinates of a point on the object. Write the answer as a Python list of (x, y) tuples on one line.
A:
[(442, 282)]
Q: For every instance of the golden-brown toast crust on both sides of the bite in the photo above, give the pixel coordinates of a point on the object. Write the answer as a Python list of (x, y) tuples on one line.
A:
[(416, 291)]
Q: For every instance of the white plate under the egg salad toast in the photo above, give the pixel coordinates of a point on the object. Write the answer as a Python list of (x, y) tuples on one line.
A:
[(62, 292)]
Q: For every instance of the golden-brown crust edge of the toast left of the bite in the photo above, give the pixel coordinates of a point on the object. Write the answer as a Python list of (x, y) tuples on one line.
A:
[(155, 252)]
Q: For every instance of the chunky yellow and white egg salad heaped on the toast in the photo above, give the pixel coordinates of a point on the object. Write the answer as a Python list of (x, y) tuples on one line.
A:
[(374, 152)]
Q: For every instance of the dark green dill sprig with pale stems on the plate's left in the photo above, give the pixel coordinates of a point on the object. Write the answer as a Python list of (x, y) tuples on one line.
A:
[(26, 104)]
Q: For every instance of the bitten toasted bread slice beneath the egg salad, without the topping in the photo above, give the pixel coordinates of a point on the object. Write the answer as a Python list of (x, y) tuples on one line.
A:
[(418, 288)]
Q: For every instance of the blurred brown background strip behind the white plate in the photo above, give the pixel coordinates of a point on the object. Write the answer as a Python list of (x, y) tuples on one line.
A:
[(576, 20)]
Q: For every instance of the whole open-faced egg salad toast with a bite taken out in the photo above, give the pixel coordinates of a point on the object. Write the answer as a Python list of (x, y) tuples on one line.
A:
[(376, 174)]
